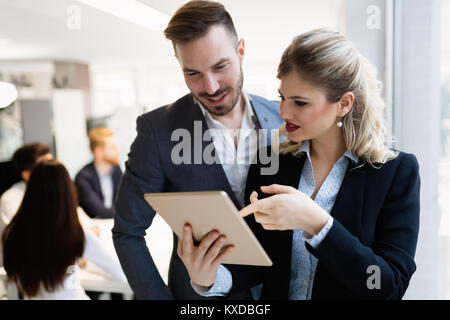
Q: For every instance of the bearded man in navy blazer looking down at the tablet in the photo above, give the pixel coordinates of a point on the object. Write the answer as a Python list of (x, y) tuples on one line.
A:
[(210, 55)]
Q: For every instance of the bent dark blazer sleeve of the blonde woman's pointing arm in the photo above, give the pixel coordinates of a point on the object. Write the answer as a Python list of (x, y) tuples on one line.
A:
[(392, 253)]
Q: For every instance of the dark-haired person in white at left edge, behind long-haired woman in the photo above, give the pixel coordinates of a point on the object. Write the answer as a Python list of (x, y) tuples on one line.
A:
[(24, 160)]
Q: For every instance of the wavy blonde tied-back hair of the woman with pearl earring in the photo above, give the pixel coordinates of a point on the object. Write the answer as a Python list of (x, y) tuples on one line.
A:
[(328, 60)]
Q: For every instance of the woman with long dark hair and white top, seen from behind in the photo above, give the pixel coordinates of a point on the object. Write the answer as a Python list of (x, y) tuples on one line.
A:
[(46, 236)]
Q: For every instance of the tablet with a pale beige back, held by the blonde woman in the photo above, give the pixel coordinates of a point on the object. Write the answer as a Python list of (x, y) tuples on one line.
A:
[(206, 211)]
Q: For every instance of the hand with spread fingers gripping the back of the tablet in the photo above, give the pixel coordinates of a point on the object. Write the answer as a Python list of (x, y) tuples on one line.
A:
[(203, 260)]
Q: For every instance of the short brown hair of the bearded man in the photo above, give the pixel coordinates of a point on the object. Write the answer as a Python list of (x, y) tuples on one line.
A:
[(193, 20)]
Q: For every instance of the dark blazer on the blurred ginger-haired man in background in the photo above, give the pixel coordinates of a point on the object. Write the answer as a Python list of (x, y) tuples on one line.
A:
[(90, 194)]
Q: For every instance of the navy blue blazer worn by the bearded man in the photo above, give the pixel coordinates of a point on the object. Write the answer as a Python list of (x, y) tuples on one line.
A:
[(149, 169)]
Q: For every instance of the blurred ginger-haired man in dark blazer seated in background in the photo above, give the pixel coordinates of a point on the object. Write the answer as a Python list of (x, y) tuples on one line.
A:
[(98, 181)]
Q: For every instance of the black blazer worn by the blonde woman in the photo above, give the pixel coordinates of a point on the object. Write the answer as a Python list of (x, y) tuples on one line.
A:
[(376, 222)]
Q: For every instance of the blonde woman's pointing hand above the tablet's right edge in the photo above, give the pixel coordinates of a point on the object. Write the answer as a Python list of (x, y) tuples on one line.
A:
[(287, 209)]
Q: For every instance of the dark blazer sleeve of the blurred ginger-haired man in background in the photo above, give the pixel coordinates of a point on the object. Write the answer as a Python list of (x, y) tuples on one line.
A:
[(89, 199)]
